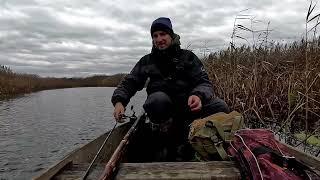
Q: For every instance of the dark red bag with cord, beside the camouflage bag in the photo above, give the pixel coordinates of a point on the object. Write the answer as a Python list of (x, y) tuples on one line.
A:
[(262, 157)]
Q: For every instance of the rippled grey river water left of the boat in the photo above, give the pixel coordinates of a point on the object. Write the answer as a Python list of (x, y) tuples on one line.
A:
[(39, 129)]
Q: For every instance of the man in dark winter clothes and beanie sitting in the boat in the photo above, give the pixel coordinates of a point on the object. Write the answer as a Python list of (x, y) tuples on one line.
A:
[(179, 89)]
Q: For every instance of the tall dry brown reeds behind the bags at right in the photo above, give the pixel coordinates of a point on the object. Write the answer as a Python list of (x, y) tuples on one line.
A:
[(278, 83)]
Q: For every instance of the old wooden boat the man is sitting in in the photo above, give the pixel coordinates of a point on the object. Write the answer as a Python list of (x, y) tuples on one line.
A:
[(120, 160)]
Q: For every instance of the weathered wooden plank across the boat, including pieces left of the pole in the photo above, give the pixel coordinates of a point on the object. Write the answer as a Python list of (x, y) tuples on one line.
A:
[(159, 170)]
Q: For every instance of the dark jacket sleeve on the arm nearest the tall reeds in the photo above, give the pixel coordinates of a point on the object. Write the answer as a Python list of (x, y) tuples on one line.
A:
[(202, 87)]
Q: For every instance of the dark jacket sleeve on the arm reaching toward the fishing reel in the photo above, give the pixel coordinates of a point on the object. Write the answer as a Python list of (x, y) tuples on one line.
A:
[(132, 83)]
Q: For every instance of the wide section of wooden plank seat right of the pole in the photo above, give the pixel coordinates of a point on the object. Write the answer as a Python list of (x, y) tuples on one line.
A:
[(178, 170)]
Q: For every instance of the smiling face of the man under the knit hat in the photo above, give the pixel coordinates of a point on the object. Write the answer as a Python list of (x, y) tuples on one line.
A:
[(161, 39)]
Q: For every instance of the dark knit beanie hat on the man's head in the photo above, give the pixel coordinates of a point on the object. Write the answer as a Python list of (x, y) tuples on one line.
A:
[(162, 24)]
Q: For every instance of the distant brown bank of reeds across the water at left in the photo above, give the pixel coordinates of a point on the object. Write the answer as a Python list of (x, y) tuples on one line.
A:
[(14, 83)]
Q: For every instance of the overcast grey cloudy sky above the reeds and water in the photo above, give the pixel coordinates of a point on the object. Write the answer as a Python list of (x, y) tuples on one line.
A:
[(80, 38)]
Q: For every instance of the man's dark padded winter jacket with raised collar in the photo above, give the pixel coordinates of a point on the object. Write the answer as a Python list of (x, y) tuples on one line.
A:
[(177, 72)]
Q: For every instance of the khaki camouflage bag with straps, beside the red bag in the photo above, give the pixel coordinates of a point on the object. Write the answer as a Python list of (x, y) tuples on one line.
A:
[(208, 136)]
